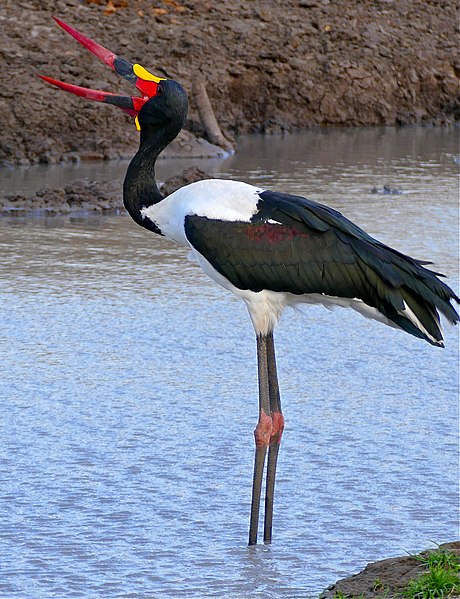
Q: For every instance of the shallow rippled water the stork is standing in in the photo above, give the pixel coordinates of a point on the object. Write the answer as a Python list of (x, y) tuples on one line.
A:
[(129, 394)]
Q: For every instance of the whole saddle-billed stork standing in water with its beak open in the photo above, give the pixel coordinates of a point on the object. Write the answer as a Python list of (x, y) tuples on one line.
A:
[(271, 249)]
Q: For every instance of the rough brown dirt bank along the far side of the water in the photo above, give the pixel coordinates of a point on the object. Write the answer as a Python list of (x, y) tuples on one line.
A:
[(269, 66)]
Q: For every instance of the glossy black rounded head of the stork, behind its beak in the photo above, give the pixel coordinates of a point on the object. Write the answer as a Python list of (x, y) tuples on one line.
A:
[(167, 109)]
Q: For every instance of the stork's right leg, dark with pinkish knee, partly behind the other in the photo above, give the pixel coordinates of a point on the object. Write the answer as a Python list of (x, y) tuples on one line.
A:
[(275, 439)]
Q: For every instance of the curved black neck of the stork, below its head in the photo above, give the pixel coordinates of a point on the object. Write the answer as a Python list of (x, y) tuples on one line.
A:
[(139, 188)]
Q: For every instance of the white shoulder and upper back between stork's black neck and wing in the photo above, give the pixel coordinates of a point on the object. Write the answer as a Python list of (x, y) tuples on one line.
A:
[(214, 198)]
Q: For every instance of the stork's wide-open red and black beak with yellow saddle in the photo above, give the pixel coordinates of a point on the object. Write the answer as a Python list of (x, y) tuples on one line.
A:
[(145, 82)]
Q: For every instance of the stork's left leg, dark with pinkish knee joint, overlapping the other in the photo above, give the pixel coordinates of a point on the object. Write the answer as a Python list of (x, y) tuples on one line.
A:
[(262, 435)]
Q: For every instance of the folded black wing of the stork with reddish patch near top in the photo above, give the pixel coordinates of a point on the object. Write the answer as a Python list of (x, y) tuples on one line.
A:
[(295, 245)]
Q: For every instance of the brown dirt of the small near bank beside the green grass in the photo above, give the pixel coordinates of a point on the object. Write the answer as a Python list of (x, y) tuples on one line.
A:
[(385, 579)]
